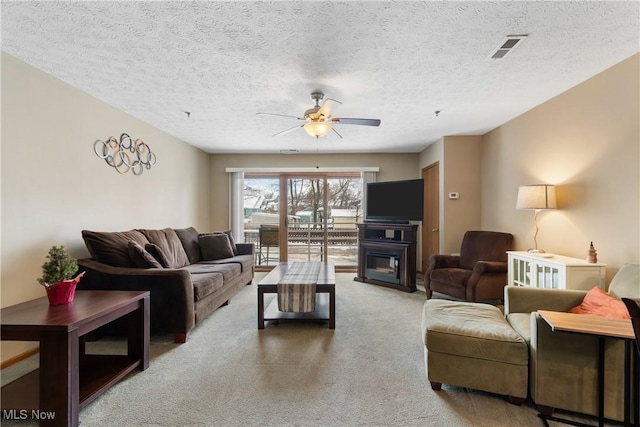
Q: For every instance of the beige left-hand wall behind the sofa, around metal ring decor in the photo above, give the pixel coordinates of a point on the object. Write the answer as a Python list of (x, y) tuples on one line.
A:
[(53, 185)]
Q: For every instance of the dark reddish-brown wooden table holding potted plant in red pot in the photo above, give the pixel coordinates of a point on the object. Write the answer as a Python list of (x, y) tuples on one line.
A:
[(68, 378)]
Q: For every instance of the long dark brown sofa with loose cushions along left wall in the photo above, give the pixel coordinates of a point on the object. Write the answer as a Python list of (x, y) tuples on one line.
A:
[(188, 274)]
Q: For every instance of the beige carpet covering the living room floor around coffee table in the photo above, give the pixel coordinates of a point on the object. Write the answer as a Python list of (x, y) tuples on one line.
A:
[(369, 371)]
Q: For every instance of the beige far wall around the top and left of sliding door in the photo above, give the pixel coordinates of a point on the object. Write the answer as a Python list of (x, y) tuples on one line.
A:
[(392, 167)]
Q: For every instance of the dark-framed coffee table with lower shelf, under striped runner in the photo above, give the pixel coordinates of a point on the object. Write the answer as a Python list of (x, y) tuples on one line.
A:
[(325, 297)]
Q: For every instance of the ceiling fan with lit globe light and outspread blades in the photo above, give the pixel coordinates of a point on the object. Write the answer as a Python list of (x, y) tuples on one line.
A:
[(318, 119)]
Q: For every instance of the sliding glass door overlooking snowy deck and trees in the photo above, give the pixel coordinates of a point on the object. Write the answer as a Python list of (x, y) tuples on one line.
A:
[(303, 217)]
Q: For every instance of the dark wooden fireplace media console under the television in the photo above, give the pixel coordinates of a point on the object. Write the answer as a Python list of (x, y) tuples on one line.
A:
[(387, 255)]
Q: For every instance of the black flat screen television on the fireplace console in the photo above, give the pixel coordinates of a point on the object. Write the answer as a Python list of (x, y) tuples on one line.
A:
[(395, 201)]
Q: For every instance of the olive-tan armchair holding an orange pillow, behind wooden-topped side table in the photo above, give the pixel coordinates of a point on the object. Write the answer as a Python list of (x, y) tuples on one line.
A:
[(563, 366)]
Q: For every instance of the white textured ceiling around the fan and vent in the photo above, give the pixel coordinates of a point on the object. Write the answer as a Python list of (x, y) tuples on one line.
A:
[(395, 61)]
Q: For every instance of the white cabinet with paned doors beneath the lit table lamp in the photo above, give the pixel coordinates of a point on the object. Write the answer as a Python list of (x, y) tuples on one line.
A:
[(553, 271)]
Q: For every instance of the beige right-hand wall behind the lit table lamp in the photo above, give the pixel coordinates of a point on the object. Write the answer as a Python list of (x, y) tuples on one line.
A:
[(586, 141)]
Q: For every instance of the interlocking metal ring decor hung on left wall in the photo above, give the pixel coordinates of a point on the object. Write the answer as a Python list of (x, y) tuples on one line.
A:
[(125, 155)]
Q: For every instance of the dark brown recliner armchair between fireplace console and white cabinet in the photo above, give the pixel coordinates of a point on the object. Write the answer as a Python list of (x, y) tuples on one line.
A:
[(480, 271)]
